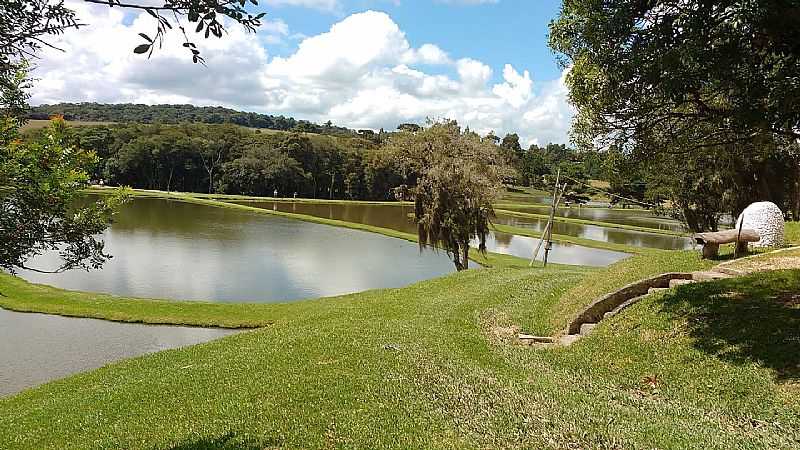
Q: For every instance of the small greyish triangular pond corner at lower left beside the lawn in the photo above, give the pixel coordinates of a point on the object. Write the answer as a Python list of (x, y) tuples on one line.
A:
[(37, 348)]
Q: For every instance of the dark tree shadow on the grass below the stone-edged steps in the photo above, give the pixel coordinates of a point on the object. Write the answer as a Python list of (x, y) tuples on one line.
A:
[(744, 320)]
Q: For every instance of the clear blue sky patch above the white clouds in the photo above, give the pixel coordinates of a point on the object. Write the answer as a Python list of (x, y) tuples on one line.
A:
[(509, 31)]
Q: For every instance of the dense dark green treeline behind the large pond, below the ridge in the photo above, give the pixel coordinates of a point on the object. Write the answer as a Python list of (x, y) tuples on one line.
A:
[(230, 159)]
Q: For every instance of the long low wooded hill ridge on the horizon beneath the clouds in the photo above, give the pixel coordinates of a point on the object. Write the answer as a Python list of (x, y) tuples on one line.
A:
[(129, 112)]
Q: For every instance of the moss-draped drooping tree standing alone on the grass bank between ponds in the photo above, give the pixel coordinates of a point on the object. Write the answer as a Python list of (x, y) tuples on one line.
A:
[(458, 177)]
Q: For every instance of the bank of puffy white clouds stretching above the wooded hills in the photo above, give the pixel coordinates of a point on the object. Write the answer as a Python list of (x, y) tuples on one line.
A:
[(362, 73)]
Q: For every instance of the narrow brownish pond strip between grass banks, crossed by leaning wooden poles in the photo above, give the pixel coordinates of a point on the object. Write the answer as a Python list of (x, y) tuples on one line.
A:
[(598, 233)]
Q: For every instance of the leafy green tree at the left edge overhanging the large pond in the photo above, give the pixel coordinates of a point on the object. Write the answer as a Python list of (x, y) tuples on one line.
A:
[(40, 183)]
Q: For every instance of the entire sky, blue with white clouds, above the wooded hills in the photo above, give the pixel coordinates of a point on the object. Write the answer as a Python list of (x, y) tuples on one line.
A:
[(359, 63)]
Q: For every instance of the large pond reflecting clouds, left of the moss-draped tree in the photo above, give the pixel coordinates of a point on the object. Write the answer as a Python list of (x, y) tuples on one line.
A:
[(171, 249)]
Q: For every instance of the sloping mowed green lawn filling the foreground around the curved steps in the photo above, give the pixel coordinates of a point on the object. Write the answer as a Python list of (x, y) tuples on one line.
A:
[(433, 365)]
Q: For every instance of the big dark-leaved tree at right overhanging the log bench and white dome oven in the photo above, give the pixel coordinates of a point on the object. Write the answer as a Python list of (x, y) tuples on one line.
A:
[(702, 95)]
